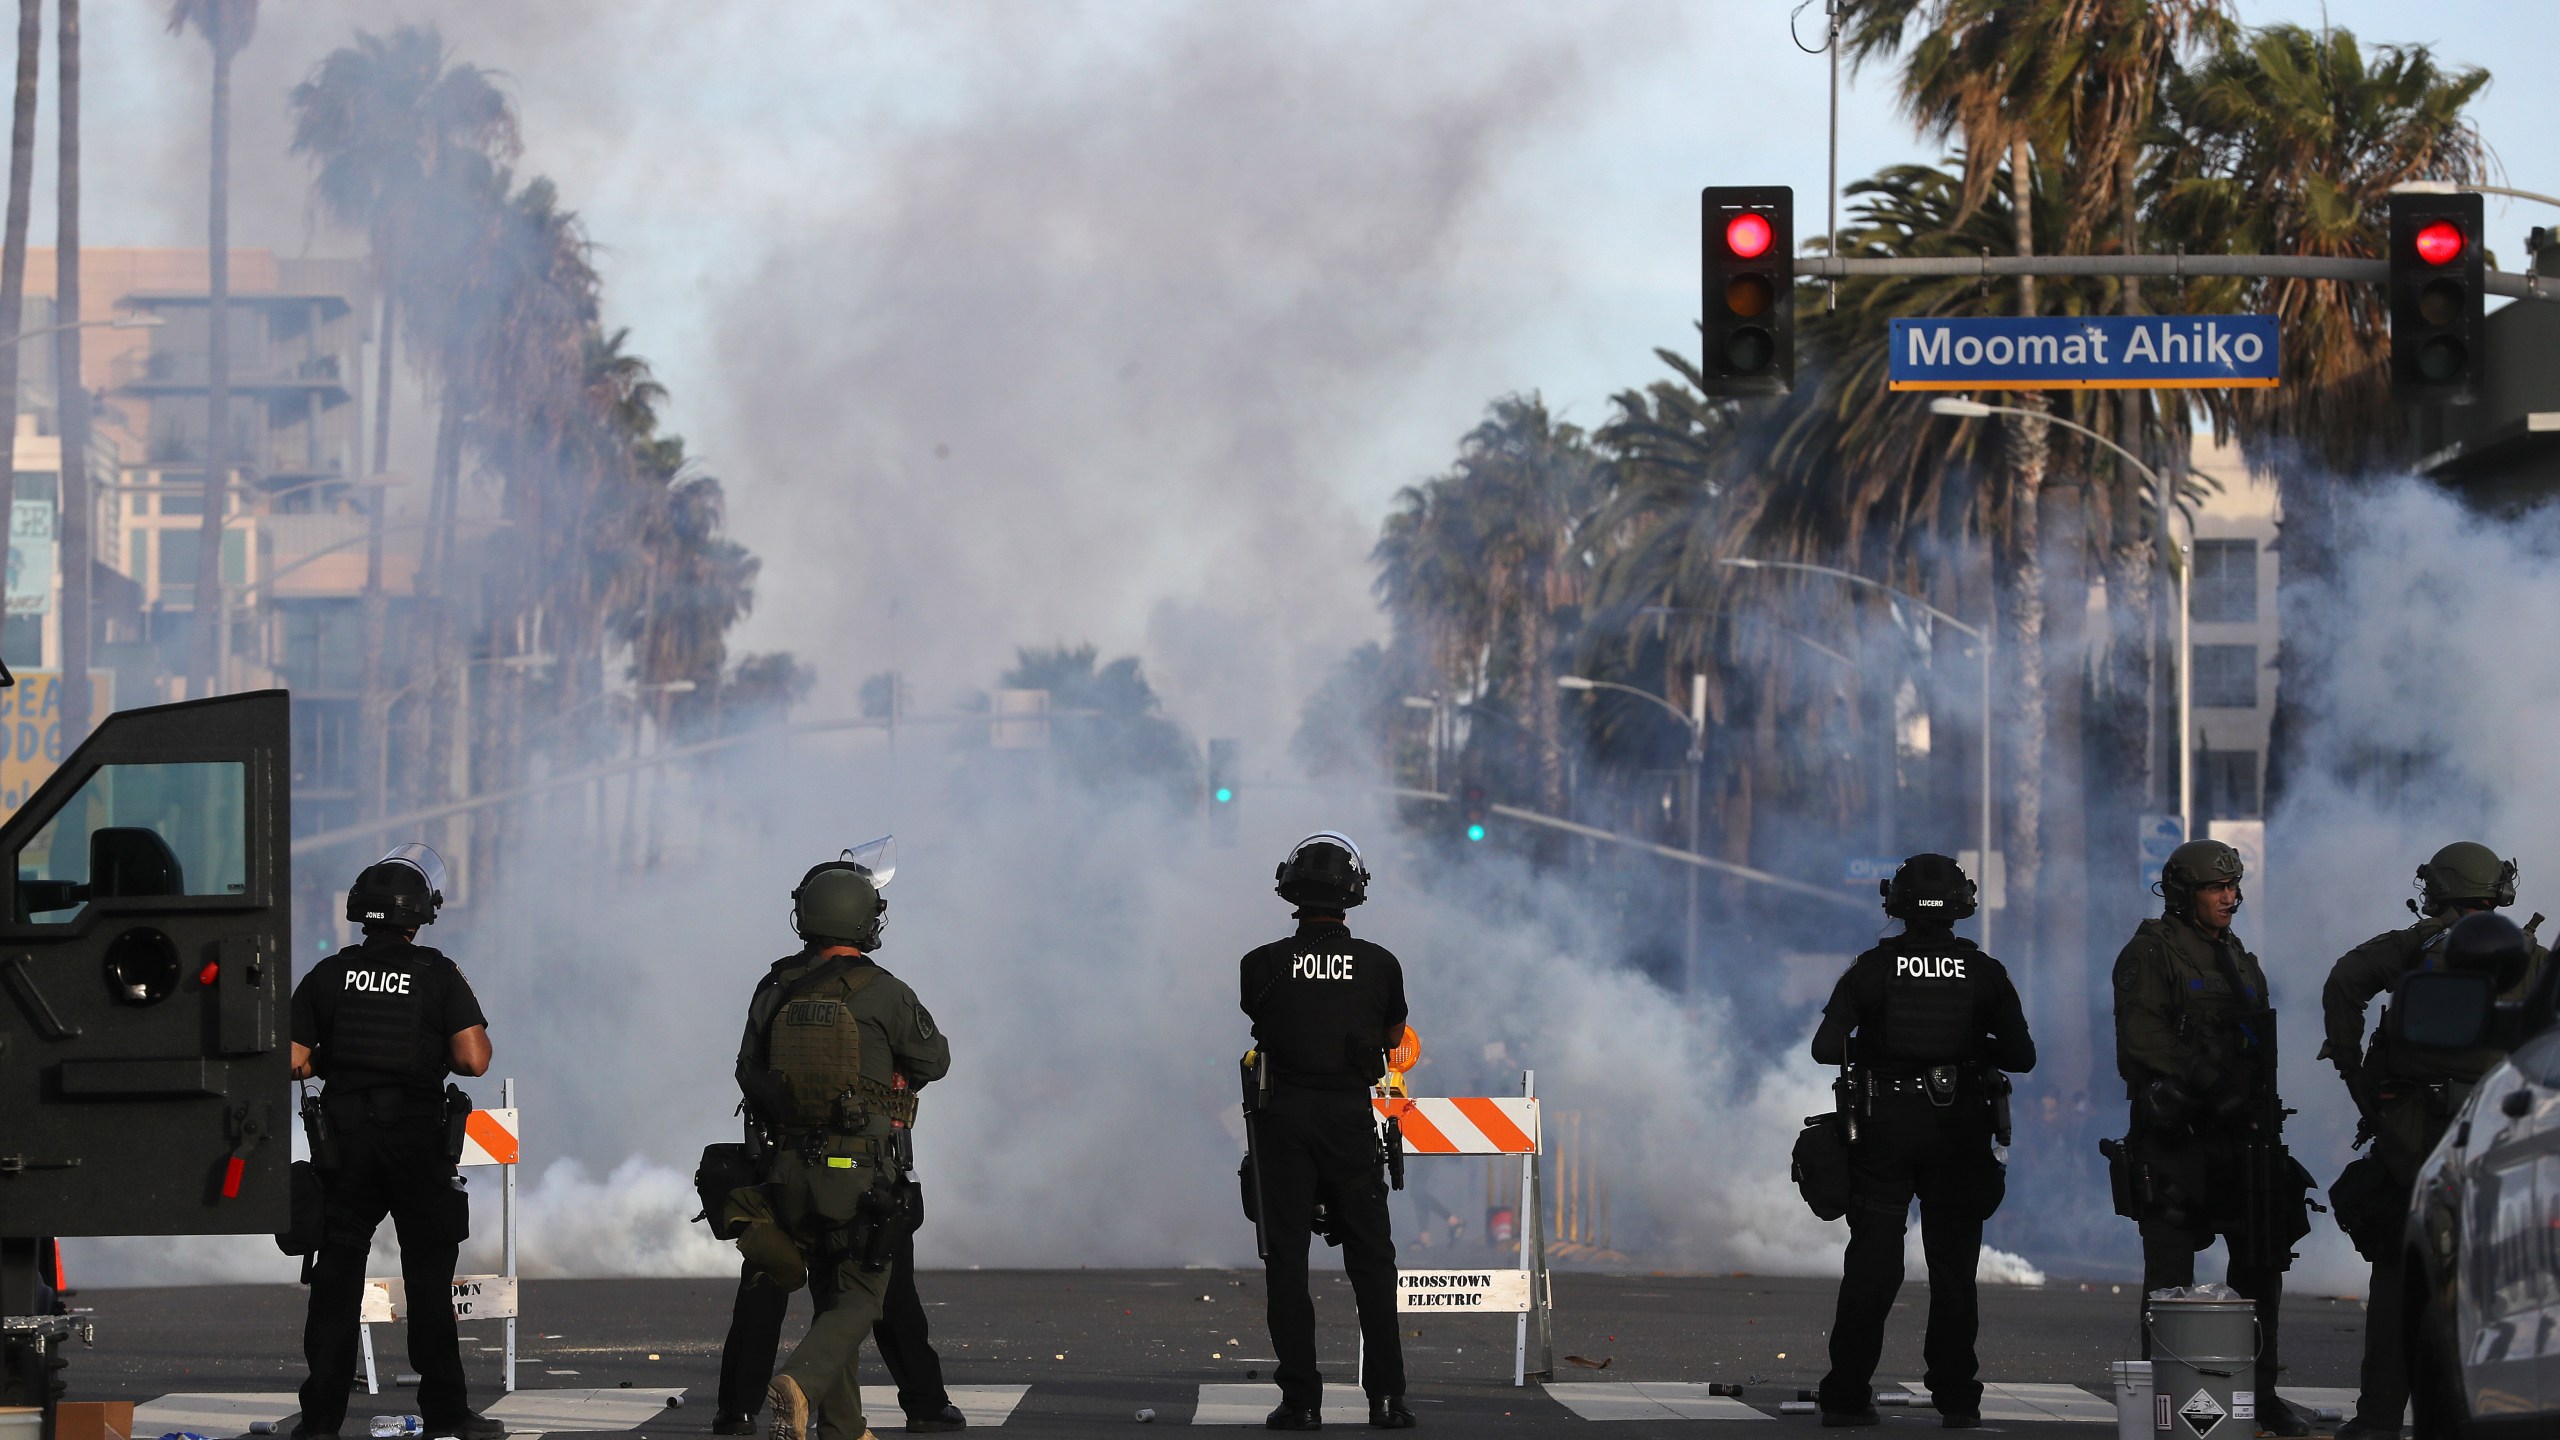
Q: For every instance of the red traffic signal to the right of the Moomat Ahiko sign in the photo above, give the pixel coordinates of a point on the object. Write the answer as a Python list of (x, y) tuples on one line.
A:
[(2438, 275)]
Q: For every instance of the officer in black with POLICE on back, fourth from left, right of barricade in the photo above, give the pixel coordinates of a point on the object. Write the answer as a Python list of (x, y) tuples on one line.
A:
[(1926, 1026)]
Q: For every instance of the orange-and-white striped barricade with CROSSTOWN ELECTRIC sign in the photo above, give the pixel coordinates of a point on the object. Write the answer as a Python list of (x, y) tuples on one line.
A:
[(1486, 1126)]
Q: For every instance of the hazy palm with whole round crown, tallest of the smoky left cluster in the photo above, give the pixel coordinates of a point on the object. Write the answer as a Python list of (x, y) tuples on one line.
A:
[(380, 122)]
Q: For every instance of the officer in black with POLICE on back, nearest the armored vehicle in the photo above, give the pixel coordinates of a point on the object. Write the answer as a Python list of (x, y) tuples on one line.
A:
[(383, 1024)]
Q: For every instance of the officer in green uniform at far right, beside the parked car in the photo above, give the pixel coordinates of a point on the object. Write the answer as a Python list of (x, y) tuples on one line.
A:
[(2408, 1098)]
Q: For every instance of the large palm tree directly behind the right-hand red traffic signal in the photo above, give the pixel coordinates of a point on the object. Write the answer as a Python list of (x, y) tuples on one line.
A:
[(2290, 142)]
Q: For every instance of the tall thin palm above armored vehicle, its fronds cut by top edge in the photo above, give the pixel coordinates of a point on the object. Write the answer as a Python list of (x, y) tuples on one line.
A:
[(227, 27)]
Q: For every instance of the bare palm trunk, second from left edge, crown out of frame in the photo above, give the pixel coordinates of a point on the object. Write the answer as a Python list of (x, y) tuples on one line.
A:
[(73, 391)]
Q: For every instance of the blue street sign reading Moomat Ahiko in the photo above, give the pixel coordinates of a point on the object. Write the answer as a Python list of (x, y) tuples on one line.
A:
[(2090, 352)]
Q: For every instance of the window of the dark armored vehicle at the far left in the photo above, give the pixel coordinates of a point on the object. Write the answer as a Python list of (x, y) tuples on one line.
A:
[(140, 831)]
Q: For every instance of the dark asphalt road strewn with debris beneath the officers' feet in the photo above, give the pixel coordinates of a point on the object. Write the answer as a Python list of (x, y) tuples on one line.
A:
[(1100, 1346)]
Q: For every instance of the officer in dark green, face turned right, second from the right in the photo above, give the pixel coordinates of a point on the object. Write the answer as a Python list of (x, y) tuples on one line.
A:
[(2195, 1039)]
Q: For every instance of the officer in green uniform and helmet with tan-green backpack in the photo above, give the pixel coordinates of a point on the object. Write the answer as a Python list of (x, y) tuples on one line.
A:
[(833, 1057)]
